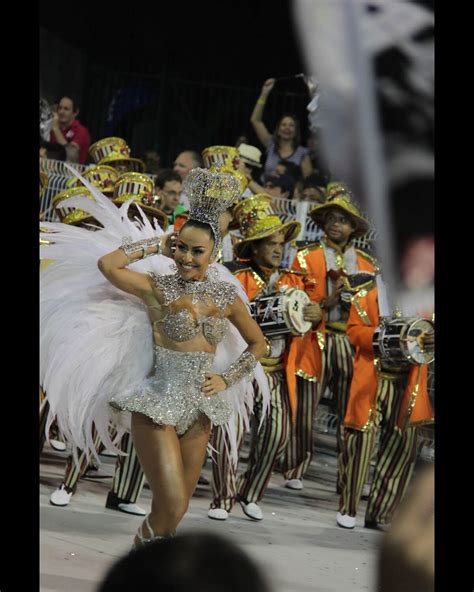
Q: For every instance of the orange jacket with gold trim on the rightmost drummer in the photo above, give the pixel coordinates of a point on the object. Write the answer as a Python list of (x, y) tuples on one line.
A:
[(415, 407)]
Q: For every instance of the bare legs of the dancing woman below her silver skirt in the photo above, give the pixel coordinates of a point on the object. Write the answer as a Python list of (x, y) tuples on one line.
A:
[(171, 466)]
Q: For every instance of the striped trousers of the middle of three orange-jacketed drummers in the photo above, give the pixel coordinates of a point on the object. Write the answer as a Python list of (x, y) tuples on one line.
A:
[(337, 370)]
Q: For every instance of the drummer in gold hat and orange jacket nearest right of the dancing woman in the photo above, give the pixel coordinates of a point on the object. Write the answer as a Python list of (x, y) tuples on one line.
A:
[(264, 238)]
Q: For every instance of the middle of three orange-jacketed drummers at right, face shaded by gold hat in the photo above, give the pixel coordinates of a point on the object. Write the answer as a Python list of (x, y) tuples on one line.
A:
[(324, 357)]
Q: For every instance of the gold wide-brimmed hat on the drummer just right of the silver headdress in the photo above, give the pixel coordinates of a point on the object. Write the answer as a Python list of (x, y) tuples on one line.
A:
[(257, 220)]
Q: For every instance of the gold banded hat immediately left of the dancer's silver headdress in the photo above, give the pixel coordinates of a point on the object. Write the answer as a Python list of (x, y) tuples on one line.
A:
[(140, 188)]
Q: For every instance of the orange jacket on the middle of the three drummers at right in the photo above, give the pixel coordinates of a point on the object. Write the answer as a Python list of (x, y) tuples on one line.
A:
[(304, 356)]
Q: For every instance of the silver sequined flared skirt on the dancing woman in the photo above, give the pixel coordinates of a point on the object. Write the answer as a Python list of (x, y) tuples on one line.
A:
[(173, 396)]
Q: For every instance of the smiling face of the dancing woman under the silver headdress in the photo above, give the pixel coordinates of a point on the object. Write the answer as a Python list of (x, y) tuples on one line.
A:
[(193, 253)]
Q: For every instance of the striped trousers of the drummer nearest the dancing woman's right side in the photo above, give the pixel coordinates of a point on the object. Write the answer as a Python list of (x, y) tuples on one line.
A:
[(269, 445)]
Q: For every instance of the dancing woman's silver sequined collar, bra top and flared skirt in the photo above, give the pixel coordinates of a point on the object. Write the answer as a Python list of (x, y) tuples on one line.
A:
[(173, 396)]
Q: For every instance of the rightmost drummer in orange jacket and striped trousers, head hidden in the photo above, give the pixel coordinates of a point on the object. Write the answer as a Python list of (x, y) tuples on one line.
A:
[(392, 397)]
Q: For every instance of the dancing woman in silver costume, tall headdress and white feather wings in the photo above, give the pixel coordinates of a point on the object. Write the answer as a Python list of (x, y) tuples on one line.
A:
[(203, 365)]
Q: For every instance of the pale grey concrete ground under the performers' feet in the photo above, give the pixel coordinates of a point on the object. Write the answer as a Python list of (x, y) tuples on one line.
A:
[(298, 544)]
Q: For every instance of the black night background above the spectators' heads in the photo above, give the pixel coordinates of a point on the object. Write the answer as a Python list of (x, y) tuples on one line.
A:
[(177, 75)]
